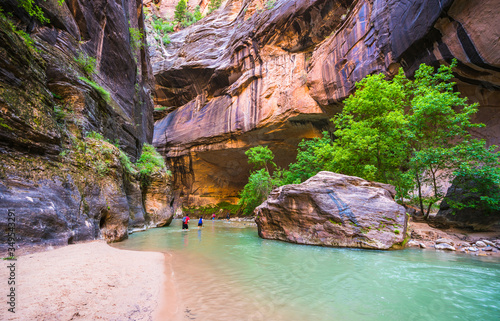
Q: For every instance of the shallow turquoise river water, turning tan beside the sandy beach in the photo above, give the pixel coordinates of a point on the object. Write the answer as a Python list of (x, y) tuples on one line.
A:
[(226, 272)]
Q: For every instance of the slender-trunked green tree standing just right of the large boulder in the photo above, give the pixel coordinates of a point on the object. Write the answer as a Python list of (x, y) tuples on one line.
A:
[(439, 123)]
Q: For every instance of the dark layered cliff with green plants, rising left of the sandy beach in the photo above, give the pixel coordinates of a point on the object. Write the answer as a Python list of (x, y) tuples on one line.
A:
[(83, 72)]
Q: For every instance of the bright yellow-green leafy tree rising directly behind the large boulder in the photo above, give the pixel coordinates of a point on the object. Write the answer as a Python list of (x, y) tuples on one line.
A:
[(371, 130)]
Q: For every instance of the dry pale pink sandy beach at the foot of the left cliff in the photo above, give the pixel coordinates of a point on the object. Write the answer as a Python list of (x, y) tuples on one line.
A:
[(88, 281)]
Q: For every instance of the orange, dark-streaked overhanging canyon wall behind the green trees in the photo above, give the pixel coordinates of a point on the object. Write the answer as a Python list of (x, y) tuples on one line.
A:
[(249, 74)]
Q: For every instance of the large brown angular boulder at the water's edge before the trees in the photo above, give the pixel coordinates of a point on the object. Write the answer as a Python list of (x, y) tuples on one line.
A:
[(332, 209)]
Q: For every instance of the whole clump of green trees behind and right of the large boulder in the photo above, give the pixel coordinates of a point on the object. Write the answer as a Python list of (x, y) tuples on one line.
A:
[(409, 133)]
